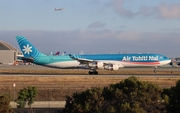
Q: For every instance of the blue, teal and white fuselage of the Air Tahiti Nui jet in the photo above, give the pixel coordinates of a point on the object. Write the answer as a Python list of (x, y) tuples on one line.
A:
[(124, 60)]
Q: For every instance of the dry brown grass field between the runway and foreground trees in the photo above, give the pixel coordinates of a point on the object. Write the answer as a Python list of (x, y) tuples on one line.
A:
[(57, 87)]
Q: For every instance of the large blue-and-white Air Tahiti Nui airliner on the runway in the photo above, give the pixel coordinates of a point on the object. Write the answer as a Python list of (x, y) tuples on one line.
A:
[(93, 61)]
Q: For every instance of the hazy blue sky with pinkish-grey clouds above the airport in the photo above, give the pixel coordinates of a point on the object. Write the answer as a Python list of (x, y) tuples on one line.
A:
[(94, 26)]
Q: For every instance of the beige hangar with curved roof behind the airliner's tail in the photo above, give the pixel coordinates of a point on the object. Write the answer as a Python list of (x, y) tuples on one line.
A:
[(8, 53)]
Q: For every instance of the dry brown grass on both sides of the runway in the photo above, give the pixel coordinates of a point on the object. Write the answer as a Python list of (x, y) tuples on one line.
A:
[(60, 83)]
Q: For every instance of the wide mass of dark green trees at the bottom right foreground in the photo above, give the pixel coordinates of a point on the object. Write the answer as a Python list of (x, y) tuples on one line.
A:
[(128, 96)]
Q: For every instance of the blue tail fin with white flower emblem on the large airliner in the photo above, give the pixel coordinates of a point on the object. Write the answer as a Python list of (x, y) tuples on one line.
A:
[(28, 50)]
